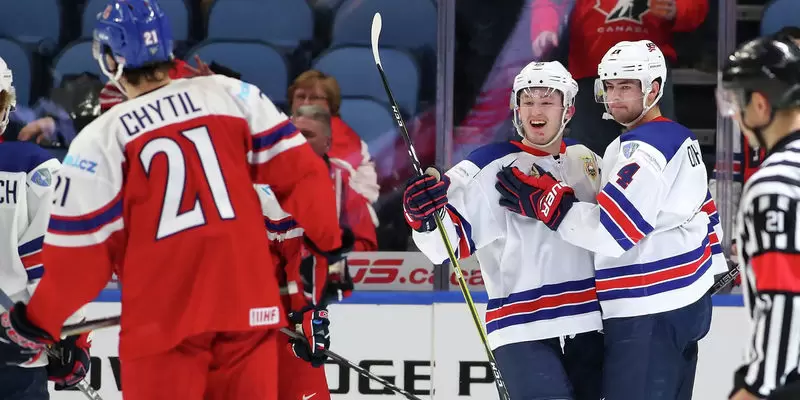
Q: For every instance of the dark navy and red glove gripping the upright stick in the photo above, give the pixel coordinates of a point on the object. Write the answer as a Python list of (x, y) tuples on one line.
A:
[(425, 195)]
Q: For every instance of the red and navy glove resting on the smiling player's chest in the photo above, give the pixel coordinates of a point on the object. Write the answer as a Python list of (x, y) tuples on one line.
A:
[(539, 195)]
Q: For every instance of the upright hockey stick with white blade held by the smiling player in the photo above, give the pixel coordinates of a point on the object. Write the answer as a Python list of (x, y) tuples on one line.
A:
[(462, 283)]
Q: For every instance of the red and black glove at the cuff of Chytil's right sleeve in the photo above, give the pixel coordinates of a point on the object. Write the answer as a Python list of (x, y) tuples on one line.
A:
[(326, 275)]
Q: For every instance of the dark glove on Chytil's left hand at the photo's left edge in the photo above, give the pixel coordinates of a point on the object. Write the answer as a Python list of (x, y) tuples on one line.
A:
[(20, 341)]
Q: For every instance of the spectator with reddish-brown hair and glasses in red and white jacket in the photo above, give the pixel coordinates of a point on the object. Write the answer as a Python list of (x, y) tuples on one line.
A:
[(316, 88)]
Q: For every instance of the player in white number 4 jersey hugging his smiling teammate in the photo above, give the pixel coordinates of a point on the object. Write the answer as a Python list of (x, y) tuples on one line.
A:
[(654, 232)]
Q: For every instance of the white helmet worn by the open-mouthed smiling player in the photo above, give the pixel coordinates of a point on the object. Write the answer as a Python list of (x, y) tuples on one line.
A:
[(550, 75)]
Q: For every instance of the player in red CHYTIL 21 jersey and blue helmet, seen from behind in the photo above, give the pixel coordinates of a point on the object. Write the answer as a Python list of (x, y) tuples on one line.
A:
[(163, 196)]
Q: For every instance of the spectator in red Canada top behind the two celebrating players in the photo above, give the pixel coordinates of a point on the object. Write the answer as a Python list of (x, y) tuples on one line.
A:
[(595, 26)]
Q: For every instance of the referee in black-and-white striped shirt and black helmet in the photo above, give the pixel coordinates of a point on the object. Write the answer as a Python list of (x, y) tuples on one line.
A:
[(761, 91)]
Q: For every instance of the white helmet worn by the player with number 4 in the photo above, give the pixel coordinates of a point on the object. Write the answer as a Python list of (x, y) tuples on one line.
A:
[(641, 60)]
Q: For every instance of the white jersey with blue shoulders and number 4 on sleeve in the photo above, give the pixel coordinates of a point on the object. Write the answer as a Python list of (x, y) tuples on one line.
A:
[(655, 229)]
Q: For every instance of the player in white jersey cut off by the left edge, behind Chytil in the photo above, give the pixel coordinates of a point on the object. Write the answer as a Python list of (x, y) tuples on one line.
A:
[(26, 185)]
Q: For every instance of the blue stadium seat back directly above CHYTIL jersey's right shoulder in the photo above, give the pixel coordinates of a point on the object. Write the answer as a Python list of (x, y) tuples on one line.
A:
[(259, 64)]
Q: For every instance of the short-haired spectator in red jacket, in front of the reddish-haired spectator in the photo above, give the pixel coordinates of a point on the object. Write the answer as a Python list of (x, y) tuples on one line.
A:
[(314, 122)]
